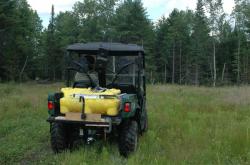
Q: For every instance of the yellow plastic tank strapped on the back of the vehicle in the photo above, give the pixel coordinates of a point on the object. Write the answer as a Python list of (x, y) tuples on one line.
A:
[(96, 102)]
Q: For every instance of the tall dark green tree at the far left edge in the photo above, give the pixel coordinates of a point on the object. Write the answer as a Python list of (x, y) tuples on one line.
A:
[(21, 31)]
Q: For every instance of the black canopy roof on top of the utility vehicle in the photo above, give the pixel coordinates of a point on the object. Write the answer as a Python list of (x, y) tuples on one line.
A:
[(112, 49)]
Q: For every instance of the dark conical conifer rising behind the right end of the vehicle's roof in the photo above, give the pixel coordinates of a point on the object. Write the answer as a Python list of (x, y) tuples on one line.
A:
[(132, 25)]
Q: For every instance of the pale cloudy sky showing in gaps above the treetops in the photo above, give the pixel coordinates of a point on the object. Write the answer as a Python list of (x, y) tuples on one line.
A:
[(155, 8)]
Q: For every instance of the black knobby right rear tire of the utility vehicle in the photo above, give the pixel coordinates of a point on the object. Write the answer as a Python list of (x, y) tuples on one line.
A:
[(128, 137)]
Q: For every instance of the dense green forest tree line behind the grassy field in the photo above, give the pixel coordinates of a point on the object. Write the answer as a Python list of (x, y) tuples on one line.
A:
[(202, 47)]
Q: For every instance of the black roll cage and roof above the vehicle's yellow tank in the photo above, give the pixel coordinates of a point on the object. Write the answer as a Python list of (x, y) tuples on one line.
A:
[(103, 52)]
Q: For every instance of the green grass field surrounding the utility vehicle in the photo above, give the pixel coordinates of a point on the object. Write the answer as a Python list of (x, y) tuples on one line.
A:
[(187, 125)]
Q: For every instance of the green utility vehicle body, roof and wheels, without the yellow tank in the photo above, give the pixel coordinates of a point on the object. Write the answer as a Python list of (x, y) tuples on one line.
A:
[(132, 118)]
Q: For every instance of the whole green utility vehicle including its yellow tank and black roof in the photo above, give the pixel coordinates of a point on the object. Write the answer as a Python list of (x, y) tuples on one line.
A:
[(105, 97)]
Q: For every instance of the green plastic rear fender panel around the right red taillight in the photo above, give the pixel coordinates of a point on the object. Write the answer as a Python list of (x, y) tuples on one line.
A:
[(132, 99)]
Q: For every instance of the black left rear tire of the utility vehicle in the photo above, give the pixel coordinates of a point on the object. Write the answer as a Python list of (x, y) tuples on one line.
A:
[(59, 141)]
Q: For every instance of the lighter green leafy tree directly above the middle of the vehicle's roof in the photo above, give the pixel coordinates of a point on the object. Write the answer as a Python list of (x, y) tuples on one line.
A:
[(94, 19)]
